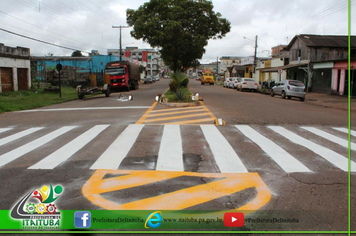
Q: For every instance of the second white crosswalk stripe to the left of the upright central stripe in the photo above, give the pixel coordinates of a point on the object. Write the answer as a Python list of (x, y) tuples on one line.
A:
[(68, 150)]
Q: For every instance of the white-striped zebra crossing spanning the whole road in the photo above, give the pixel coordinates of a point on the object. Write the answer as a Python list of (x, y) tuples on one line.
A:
[(232, 149)]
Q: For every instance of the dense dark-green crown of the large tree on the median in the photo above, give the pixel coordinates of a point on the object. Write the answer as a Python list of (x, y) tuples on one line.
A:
[(181, 28)]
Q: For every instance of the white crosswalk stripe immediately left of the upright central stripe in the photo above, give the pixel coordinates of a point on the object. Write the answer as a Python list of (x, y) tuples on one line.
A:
[(115, 154)]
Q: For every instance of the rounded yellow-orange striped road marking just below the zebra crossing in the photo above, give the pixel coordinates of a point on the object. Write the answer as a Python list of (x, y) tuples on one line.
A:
[(225, 185)]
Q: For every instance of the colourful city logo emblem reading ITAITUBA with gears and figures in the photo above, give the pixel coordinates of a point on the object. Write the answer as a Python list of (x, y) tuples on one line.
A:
[(37, 208)]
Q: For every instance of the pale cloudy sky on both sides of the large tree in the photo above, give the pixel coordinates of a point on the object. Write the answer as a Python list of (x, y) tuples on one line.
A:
[(87, 24)]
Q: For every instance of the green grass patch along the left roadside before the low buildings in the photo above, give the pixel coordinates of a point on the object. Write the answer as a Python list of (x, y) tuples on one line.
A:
[(24, 100)]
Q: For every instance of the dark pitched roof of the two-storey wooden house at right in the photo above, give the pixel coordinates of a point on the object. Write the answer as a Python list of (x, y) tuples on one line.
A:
[(332, 41)]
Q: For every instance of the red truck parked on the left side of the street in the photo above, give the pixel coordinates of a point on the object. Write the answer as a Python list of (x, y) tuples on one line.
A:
[(123, 74)]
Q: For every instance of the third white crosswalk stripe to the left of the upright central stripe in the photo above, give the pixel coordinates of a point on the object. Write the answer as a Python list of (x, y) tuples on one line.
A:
[(18, 152)]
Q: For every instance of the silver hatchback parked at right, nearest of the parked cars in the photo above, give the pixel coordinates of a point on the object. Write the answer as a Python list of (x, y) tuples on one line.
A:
[(289, 89)]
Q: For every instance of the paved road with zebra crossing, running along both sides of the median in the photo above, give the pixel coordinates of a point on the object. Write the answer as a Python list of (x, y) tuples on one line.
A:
[(283, 165)]
